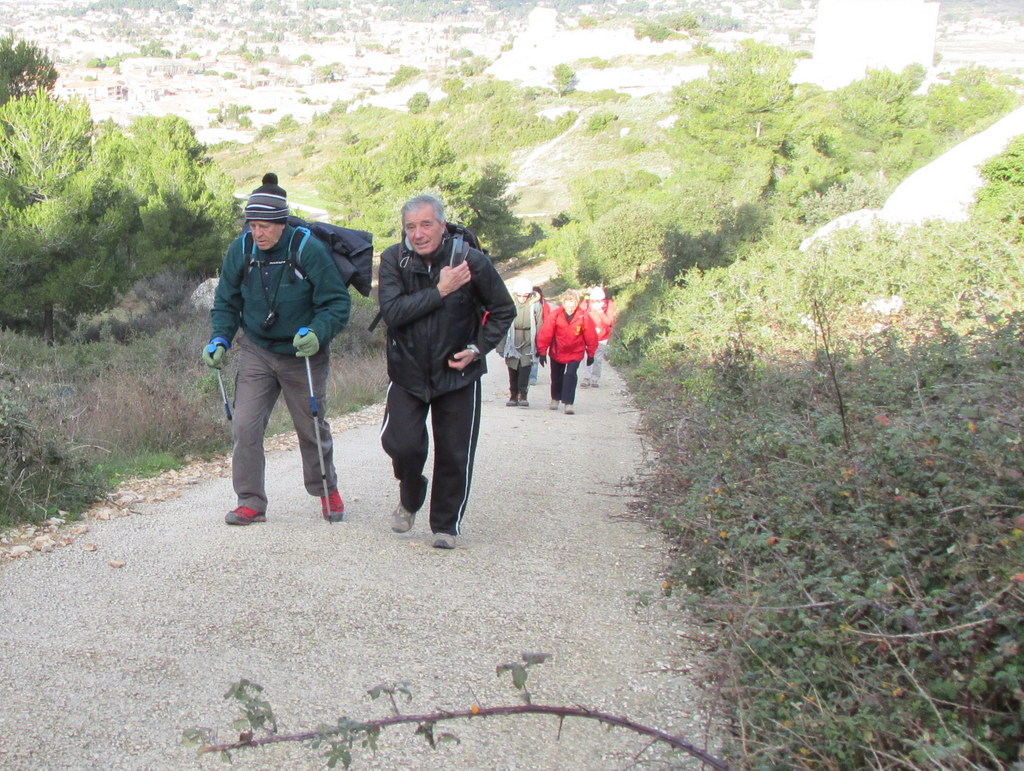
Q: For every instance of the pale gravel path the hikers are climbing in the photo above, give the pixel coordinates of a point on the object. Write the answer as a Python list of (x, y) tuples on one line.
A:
[(103, 667)]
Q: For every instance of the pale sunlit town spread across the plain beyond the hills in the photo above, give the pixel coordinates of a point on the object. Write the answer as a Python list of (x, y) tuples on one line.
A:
[(232, 77)]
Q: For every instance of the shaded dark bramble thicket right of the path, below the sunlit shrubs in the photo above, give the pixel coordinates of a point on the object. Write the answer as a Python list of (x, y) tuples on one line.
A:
[(865, 596)]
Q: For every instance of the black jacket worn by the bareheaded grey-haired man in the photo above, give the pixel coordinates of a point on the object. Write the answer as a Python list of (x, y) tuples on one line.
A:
[(424, 330)]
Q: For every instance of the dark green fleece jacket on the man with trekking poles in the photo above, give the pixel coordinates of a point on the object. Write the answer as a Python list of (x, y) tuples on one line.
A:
[(313, 296)]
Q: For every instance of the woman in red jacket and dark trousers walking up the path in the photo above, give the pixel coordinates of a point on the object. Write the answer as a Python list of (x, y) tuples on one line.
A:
[(569, 335)]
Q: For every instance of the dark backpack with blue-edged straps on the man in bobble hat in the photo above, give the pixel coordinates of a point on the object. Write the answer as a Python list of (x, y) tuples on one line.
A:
[(353, 251)]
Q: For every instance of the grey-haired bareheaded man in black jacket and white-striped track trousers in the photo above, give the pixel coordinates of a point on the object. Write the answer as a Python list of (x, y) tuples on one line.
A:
[(435, 295)]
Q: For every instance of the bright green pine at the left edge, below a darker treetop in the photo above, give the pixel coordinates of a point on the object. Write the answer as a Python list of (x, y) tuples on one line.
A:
[(63, 246)]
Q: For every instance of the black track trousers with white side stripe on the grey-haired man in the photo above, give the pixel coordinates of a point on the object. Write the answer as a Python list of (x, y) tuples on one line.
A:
[(455, 423)]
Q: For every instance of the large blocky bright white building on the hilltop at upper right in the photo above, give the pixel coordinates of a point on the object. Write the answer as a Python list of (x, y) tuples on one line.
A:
[(855, 36)]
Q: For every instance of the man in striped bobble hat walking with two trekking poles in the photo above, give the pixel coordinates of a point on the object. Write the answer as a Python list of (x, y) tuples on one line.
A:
[(275, 296)]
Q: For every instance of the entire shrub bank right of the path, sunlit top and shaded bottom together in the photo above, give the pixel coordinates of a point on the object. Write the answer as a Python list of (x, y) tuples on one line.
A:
[(840, 438)]
